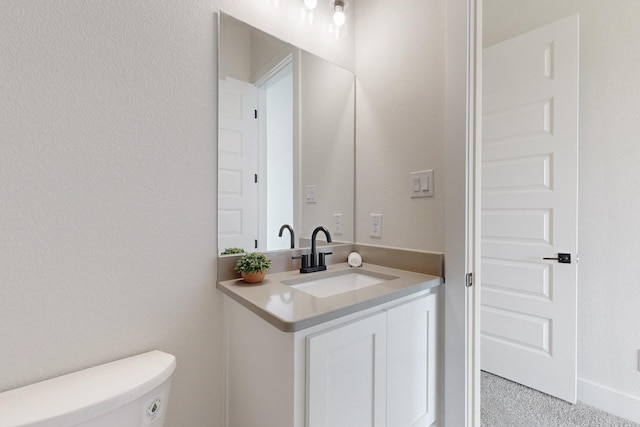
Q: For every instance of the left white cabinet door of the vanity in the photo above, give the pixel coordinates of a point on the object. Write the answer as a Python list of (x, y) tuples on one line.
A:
[(346, 375)]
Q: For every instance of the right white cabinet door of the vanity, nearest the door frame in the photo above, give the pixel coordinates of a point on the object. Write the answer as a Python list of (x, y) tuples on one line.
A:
[(411, 363)]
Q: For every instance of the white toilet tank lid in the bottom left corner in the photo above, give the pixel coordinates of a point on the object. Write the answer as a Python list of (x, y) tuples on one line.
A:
[(85, 394)]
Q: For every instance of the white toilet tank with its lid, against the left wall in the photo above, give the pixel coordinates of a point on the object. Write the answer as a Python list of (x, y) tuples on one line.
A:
[(131, 392)]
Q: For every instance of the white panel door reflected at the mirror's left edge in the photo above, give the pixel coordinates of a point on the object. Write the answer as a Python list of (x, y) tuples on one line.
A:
[(237, 165)]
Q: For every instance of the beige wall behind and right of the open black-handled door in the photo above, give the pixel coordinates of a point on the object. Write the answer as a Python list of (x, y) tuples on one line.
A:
[(609, 153)]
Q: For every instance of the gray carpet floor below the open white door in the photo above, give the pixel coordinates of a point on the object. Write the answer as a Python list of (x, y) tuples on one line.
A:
[(508, 404)]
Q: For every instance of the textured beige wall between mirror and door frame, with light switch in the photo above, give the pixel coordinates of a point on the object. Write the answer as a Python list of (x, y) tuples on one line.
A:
[(400, 125)]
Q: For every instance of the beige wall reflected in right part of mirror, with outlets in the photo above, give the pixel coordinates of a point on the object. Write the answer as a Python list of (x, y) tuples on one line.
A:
[(327, 152)]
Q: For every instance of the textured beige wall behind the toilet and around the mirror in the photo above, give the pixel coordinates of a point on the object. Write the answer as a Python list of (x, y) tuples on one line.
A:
[(108, 185)]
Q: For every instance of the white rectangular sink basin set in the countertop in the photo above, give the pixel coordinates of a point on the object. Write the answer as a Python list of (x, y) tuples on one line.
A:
[(323, 285)]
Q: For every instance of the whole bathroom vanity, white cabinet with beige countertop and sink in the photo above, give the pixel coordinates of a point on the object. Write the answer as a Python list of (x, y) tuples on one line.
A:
[(345, 347)]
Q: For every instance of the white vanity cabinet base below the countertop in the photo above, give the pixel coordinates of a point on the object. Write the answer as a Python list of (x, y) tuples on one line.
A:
[(372, 368)]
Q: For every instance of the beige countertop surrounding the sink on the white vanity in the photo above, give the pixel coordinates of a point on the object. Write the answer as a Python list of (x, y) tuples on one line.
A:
[(291, 310)]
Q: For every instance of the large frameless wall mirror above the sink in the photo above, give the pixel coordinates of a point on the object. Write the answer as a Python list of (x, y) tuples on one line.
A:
[(286, 151)]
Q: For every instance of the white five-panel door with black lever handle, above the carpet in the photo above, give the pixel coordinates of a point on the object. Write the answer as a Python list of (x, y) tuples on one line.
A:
[(529, 208)]
